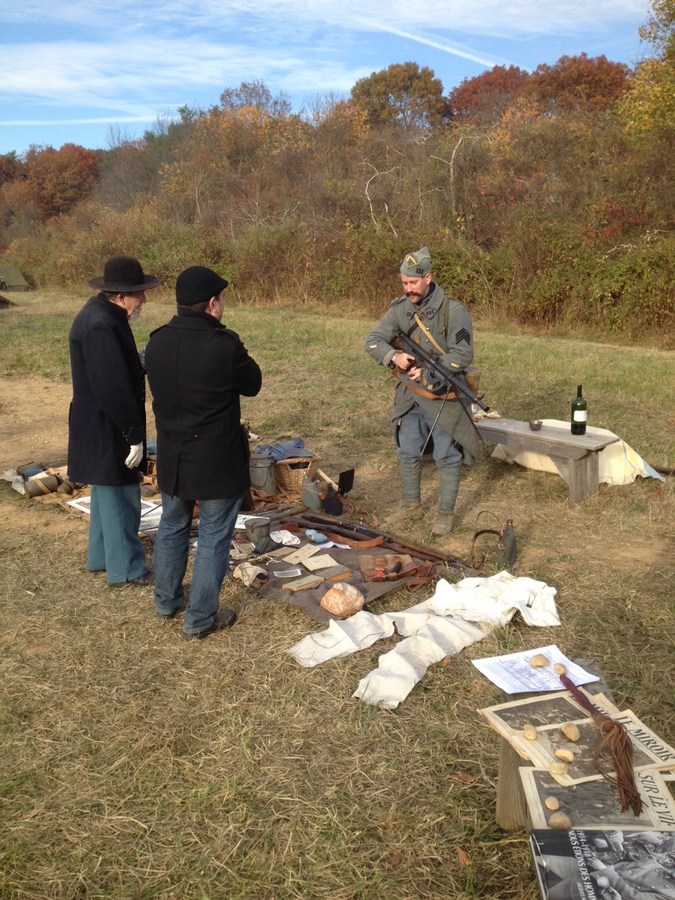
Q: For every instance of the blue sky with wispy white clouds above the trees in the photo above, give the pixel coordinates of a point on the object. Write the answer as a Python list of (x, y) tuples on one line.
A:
[(93, 72)]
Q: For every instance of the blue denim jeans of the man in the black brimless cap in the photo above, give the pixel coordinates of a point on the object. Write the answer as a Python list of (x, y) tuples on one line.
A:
[(217, 519)]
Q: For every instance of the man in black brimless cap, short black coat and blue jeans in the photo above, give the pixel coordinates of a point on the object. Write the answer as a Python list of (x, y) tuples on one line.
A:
[(197, 371)]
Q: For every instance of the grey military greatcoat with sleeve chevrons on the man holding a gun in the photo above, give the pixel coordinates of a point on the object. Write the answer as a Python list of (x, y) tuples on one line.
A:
[(450, 325)]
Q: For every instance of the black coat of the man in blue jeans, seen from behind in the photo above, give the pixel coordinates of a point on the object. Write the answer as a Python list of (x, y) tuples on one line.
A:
[(197, 370)]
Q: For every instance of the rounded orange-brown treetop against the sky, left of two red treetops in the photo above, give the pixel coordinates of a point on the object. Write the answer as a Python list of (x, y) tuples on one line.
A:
[(403, 94)]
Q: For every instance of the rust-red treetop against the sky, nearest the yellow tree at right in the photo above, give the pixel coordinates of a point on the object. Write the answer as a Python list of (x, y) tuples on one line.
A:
[(578, 83)]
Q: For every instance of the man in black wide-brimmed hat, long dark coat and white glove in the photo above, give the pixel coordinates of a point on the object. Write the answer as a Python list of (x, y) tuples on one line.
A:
[(106, 440)]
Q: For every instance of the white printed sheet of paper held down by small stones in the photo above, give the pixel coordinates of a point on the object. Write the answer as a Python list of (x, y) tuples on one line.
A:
[(514, 674)]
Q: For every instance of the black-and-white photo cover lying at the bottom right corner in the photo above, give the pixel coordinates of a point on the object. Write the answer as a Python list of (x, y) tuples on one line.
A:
[(604, 865)]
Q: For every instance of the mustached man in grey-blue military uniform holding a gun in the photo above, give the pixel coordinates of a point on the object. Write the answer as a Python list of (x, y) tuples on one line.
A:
[(442, 327)]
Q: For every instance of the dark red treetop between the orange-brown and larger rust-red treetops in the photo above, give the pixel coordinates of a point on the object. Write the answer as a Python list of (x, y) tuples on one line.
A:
[(482, 99)]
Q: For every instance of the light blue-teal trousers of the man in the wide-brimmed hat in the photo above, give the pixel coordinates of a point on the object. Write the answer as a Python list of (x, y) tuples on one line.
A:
[(114, 546)]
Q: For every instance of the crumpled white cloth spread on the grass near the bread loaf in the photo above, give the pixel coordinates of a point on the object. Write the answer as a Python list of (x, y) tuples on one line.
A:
[(434, 629)]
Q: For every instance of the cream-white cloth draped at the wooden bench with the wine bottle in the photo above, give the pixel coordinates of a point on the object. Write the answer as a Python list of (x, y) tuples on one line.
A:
[(618, 463)]
